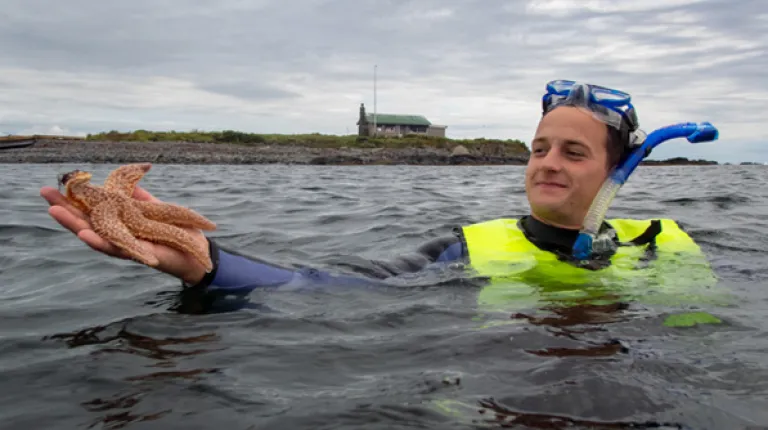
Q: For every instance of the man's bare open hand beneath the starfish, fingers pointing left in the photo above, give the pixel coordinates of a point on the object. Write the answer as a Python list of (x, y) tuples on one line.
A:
[(172, 261)]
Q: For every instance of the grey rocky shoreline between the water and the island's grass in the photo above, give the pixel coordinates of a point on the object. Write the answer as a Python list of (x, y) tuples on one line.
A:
[(78, 151)]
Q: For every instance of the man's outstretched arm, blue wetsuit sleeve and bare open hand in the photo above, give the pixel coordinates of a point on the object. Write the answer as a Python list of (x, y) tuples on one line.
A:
[(236, 275)]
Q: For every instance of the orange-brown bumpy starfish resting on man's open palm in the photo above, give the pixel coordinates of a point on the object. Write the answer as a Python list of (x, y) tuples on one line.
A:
[(123, 220)]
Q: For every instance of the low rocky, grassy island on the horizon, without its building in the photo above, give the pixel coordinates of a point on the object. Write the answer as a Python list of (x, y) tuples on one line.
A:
[(236, 147)]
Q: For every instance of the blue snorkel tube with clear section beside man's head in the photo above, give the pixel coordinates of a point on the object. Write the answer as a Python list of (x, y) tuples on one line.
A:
[(587, 240)]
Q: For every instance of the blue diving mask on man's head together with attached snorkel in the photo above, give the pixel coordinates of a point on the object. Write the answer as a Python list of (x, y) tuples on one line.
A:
[(614, 108)]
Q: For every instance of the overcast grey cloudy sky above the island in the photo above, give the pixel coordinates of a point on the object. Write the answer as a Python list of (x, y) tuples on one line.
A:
[(302, 66)]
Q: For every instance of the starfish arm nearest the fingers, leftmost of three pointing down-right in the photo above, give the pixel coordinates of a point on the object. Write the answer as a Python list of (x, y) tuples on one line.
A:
[(106, 223)]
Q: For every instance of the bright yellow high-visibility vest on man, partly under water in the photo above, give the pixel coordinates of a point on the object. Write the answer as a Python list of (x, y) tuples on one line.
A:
[(518, 271)]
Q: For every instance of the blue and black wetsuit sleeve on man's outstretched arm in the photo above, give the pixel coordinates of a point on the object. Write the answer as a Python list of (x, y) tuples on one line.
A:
[(236, 275)]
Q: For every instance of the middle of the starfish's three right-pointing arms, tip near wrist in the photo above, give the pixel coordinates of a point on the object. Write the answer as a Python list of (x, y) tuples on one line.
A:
[(166, 234)]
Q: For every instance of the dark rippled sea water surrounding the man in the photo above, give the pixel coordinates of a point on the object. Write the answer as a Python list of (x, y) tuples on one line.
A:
[(92, 342)]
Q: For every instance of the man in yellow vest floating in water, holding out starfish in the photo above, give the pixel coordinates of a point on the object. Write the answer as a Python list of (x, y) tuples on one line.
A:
[(585, 131)]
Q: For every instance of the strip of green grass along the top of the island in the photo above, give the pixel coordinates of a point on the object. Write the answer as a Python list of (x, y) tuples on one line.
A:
[(314, 140)]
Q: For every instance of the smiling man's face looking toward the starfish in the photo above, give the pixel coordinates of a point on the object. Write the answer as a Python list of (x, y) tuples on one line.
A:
[(568, 165)]
